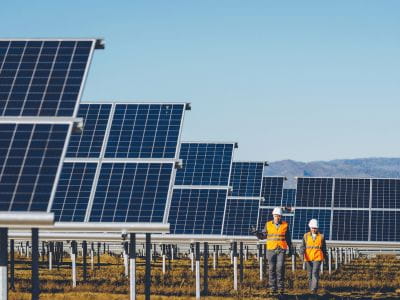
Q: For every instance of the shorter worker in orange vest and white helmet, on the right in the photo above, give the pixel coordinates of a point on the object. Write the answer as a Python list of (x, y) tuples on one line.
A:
[(313, 251)]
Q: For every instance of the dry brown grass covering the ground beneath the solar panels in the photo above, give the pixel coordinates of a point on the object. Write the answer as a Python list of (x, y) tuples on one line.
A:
[(377, 278)]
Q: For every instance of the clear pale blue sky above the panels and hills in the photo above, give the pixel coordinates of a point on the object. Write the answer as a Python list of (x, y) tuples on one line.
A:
[(302, 80)]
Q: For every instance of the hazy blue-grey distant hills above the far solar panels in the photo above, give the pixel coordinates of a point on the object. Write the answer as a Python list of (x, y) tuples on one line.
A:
[(359, 167)]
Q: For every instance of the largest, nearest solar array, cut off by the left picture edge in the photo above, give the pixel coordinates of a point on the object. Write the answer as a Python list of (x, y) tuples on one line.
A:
[(40, 81)]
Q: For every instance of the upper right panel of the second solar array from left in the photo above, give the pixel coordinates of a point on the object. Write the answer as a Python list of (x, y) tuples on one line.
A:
[(145, 131)]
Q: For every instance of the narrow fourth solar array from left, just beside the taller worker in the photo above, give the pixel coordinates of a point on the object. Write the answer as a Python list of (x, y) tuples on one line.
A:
[(243, 204)]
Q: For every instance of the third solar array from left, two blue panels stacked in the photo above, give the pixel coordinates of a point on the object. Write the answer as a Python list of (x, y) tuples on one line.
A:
[(201, 188)]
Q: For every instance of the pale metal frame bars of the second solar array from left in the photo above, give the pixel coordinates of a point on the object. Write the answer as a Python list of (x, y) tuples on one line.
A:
[(102, 159)]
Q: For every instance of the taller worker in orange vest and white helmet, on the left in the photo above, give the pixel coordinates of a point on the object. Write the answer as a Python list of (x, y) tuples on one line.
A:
[(279, 243)]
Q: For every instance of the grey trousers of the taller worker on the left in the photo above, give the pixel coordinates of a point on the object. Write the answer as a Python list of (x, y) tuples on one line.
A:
[(276, 268)]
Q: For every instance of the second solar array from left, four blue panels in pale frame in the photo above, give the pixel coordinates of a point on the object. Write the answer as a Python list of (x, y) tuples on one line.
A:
[(134, 147)]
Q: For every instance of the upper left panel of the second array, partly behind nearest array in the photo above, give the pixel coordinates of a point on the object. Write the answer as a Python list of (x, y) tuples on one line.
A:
[(89, 142)]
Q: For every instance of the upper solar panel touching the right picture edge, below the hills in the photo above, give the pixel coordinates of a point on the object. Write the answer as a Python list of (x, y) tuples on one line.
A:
[(385, 193)]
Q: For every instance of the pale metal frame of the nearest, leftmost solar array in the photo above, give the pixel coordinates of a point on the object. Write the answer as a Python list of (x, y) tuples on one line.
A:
[(70, 121)]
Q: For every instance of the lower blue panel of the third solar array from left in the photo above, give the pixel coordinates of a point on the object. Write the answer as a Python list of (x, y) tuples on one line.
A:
[(197, 211)]
